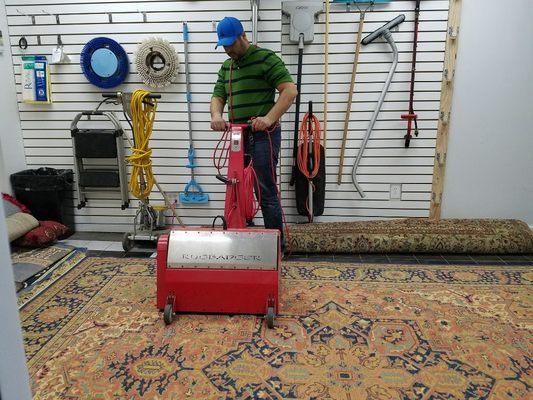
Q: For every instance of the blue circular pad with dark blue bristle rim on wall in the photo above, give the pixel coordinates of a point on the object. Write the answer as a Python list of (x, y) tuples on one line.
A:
[(104, 62)]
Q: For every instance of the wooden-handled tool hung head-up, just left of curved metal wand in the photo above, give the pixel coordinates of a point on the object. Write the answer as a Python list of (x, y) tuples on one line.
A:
[(362, 14)]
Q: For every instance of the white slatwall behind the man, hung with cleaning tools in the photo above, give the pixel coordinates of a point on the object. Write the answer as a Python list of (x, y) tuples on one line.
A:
[(46, 127)]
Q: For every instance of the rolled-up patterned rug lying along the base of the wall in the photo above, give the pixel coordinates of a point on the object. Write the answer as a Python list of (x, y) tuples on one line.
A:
[(414, 235)]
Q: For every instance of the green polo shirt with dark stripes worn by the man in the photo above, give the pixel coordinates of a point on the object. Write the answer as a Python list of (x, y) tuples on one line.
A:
[(255, 77)]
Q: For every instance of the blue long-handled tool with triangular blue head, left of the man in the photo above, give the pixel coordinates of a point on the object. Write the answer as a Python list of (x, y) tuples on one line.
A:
[(193, 193)]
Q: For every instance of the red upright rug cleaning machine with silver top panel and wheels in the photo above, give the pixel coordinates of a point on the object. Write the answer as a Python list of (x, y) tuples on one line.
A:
[(225, 270)]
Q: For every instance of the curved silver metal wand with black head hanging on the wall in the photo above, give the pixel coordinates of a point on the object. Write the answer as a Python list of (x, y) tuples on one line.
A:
[(384, 32)]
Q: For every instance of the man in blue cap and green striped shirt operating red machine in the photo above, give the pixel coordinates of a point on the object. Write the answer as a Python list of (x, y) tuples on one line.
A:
[(247, 81)]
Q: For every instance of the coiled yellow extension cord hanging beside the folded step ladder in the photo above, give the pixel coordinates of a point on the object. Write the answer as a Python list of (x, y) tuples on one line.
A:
[(143, 114)]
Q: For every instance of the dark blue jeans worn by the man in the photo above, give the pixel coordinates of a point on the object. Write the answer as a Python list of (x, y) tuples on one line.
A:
[(265, 157)]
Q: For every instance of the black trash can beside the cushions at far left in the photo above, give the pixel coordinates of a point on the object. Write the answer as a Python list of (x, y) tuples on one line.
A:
[(47, 192)]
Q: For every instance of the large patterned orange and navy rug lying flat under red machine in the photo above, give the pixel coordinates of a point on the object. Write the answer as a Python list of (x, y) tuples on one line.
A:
[(348, 332)]
